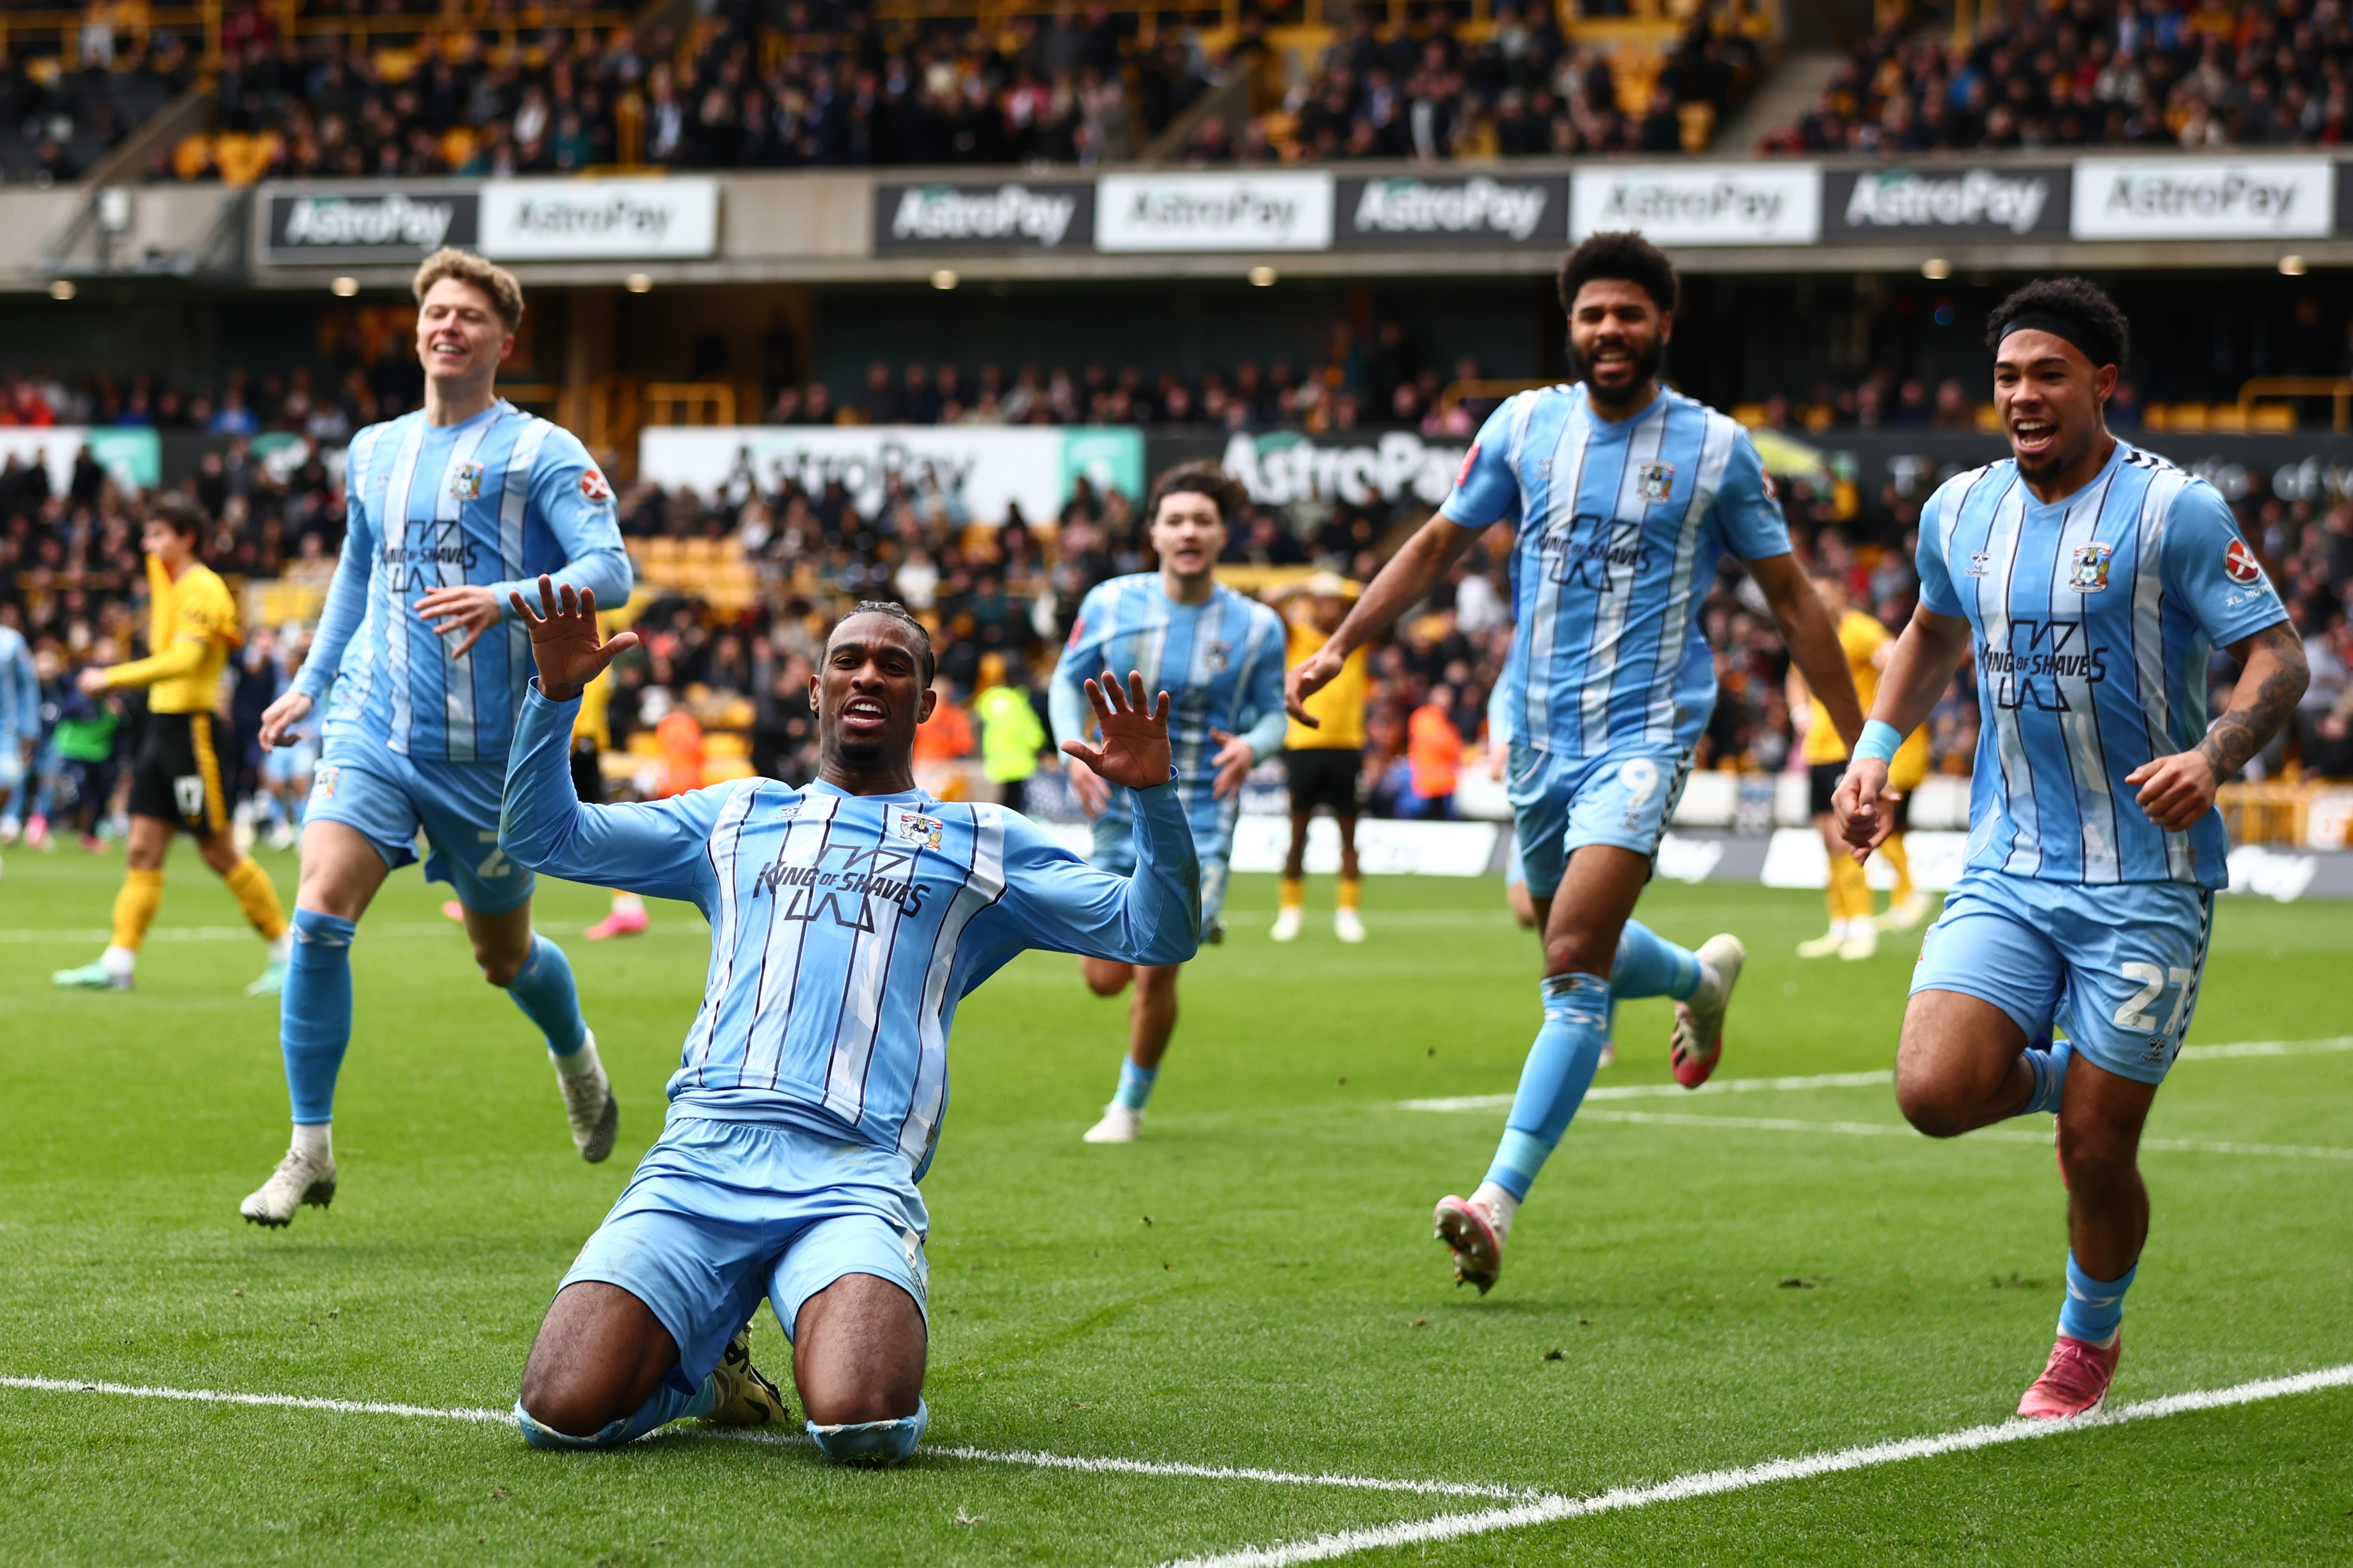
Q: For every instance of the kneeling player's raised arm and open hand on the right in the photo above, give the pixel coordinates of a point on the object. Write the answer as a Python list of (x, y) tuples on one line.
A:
[(1065, 905)]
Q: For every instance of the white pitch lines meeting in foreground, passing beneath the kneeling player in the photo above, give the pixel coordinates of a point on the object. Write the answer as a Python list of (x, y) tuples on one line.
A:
[(1528, 1508)]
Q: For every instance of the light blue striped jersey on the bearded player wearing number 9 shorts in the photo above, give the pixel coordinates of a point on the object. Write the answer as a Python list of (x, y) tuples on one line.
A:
[(1620, 529)]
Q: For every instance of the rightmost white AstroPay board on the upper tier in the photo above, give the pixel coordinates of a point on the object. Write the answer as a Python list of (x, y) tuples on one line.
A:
[(2204, 199)]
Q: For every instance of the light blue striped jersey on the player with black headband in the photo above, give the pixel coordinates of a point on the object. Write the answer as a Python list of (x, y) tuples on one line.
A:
[(2093, 620)]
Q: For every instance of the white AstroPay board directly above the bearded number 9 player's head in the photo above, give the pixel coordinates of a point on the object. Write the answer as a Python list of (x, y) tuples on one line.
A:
[(1712, 204)]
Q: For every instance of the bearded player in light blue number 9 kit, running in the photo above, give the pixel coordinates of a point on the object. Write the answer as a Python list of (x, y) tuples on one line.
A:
[(1625, 496)]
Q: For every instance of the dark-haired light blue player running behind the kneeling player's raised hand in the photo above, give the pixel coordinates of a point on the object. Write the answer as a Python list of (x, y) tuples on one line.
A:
[(1222, 656)]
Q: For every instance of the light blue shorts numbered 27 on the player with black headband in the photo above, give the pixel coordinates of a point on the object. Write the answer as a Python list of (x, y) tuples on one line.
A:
[(2114, 964)]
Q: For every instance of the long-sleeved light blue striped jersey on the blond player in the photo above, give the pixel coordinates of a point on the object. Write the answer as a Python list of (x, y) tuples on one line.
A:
[(493, 503)]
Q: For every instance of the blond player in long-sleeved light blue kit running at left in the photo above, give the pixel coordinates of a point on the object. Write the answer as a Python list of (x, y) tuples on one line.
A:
[(451, 510)]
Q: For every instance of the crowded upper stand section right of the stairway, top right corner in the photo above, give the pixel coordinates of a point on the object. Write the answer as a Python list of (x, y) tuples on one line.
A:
[(2095, 74)]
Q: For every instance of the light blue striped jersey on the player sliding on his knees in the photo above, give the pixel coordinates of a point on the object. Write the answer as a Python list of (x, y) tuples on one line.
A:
[(846, 929)]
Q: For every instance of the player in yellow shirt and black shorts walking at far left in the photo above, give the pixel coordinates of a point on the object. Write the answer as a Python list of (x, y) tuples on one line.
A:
[(178, 766)]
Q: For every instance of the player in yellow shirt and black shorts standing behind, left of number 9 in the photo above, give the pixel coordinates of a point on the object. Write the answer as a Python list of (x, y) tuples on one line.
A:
[(1324, 759)]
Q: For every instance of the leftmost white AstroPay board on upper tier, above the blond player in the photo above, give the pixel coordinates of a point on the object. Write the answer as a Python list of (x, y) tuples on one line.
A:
[(587, 220)]
